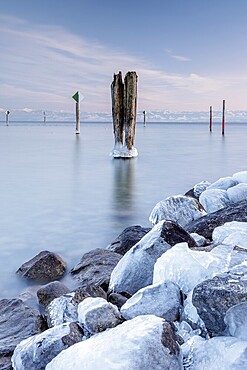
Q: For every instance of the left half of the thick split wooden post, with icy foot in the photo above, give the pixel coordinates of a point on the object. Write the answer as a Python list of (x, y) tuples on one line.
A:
[(117, 94)]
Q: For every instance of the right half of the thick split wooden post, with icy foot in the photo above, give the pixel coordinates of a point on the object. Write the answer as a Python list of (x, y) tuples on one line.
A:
[(130, 107)]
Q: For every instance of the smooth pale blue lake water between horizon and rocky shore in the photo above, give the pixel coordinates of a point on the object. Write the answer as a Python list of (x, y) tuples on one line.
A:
[(63, 192)]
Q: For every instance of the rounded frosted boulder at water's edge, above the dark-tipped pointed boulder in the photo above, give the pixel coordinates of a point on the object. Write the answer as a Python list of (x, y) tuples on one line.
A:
[(179, 208)]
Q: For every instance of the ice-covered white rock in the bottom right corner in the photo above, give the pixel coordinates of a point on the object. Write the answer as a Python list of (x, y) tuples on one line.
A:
[(219, 353)]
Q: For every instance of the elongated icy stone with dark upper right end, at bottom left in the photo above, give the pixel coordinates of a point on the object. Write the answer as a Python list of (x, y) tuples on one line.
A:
[(37, 351)]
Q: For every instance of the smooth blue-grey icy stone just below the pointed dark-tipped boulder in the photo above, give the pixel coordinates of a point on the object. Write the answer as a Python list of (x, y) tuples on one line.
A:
[(163, 300)]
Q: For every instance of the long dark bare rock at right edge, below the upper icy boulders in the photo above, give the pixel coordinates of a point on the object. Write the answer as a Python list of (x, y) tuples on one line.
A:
[(206, 224)]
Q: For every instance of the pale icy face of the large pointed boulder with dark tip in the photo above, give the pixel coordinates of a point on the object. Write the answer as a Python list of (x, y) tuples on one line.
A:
[(135, 270)]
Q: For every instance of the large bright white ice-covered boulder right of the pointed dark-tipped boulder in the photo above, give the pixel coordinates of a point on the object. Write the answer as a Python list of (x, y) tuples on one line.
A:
[(187, 268)]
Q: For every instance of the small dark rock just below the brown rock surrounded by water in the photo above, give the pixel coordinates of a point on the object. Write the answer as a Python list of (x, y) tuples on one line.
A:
[(51, 291)]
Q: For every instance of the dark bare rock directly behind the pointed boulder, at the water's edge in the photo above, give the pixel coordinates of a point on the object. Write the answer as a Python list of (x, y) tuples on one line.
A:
[(128, 237)]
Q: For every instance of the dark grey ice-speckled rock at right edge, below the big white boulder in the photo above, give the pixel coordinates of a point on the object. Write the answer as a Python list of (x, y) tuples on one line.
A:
[(212, 298)]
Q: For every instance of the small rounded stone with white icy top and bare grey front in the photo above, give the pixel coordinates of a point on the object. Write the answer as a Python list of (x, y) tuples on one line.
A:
[(97, 315)]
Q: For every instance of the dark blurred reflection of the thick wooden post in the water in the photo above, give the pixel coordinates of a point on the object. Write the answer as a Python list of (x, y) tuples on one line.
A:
[(123, 200)]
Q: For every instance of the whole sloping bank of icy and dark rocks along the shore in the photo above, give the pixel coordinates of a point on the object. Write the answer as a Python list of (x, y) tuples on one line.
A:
[(173, 296)]
